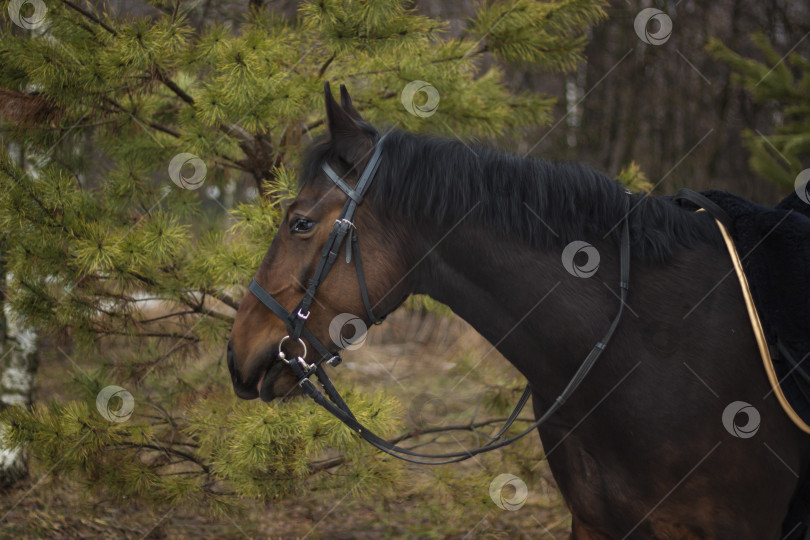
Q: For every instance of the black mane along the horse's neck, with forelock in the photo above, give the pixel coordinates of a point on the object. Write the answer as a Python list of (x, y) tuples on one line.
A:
[(424, 178)]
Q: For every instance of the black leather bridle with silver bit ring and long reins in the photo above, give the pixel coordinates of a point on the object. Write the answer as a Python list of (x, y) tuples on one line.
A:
[(345, 230)]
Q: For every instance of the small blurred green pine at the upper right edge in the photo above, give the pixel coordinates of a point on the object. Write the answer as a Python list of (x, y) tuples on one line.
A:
[(779, 156)]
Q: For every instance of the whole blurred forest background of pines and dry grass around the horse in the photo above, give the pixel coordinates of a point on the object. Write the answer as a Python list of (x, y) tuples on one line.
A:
[(115, 276)]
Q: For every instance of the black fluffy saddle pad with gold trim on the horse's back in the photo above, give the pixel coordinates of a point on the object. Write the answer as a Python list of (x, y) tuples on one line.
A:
[(774, 246)]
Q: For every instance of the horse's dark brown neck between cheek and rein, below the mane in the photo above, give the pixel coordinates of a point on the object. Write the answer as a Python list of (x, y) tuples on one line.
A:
[(521, 298)]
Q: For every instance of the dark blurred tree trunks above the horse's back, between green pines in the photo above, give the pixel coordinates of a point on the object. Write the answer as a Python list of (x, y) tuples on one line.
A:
[(655, 105)]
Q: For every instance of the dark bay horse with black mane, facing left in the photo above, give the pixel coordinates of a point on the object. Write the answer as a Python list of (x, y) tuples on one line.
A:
[(642, 448)]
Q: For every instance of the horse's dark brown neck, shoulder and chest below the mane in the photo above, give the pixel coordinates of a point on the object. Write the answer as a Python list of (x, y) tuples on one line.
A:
[(641, 452)]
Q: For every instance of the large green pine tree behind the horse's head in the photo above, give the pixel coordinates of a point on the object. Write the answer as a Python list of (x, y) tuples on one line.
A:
[(108, 237)]
